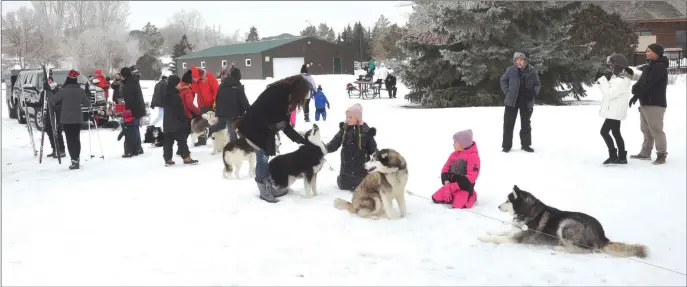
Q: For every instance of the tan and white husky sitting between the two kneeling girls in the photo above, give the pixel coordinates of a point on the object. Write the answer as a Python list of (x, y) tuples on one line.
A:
[(375, 194)]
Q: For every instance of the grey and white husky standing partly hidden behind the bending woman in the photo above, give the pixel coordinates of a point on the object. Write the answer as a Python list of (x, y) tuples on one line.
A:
[(238, 151)]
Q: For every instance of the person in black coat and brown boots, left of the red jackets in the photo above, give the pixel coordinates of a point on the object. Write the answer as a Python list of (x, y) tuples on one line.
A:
[(175, 123)]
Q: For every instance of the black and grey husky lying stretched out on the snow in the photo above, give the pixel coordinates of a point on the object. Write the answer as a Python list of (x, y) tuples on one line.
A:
[(573, 232)]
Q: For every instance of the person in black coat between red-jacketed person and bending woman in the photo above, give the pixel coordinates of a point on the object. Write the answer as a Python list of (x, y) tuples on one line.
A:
[(230, 104)]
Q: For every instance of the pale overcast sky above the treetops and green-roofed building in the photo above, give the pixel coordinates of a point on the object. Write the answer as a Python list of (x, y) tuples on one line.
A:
[(270, 17)]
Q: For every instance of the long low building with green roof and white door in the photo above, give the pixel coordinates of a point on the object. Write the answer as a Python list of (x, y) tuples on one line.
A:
[(274, 58)]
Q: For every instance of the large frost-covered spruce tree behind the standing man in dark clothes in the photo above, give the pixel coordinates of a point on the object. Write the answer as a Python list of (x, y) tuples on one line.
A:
[(476, 41)]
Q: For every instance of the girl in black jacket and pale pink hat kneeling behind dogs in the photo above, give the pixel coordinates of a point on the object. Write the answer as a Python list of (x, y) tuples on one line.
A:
[(357, 143)]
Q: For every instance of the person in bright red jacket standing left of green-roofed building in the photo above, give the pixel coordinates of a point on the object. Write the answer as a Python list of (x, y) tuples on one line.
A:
[(205, 87)]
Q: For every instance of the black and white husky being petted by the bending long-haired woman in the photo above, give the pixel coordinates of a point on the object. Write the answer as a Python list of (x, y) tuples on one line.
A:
[(303, 163)]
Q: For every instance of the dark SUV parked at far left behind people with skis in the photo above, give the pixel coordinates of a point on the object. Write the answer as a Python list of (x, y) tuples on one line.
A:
[(27, 87)]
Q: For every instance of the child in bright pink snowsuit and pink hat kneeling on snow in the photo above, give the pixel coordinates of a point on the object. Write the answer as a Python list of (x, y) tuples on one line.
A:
[(460, 173)]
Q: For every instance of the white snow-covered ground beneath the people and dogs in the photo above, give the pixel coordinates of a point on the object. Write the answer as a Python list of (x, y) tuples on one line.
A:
[(135, 222)]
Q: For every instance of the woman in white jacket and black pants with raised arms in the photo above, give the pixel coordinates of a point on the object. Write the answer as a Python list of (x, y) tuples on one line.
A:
[(616, 92)]
